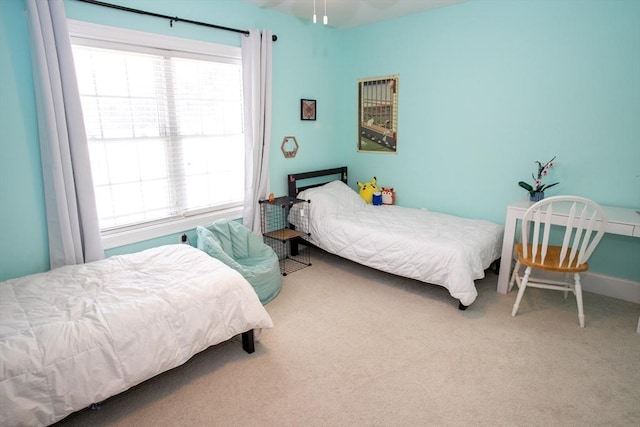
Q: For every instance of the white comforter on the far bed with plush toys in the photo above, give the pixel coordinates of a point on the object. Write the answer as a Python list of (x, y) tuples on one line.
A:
[(431, 247)]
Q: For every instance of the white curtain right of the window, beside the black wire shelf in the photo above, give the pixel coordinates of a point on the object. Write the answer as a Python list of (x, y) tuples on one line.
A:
[(256, 70)]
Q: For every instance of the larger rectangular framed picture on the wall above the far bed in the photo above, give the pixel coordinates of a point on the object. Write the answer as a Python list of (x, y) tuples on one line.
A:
[(378, 114)]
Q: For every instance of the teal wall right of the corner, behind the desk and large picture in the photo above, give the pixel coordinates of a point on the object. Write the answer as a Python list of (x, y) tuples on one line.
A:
[(488, 87)]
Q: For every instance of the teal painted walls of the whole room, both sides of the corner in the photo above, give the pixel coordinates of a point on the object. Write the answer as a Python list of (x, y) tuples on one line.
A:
[(486, 88)]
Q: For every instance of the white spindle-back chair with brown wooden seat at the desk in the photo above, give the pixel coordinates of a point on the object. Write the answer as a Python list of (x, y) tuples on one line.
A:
[(583, 221)]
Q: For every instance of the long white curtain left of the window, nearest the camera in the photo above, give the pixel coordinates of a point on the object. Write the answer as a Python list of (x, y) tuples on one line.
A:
[(72, 220)]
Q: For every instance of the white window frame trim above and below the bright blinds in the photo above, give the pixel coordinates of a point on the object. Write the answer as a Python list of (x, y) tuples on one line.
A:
[(80, 32)]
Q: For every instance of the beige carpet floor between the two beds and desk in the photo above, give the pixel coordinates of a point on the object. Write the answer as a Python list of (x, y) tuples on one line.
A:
[(352, 346)]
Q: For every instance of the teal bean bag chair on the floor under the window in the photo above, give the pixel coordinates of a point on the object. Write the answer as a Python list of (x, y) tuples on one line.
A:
[(236, 246)]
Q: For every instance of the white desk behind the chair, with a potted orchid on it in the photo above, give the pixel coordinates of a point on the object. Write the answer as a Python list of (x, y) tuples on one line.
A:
[(622, 221)]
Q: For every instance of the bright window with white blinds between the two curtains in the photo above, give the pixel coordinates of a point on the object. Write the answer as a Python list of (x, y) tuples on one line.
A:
[(164, 123)]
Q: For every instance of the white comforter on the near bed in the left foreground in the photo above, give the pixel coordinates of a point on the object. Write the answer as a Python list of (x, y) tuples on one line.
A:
[(79, 334)]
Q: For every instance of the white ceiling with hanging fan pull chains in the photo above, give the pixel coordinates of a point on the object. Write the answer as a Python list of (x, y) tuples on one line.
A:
[(352, 13)]
